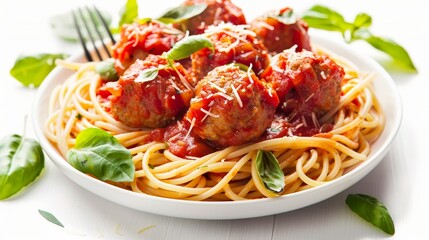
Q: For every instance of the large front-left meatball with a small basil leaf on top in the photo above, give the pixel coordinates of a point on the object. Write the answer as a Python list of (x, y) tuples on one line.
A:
[(151, 103)]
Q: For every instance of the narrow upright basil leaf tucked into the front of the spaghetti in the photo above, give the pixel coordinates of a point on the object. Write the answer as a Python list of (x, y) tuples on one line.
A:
[(269, 171)]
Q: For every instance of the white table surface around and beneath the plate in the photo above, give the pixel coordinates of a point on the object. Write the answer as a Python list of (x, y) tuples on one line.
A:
[(400, 180)]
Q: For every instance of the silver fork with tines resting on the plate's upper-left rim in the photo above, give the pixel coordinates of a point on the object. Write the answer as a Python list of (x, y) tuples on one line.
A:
[(81, 23)]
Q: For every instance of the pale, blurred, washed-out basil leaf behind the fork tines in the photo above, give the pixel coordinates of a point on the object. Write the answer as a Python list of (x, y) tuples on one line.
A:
[(63, 26)]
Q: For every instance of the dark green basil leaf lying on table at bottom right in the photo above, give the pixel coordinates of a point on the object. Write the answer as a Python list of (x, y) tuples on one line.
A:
[(372, 210)]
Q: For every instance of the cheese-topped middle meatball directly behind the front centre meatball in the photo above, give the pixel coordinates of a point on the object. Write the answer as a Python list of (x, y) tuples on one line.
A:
[(232, 44)]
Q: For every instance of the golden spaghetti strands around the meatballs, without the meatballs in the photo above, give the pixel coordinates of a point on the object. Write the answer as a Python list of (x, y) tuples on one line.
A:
[(230, 173)]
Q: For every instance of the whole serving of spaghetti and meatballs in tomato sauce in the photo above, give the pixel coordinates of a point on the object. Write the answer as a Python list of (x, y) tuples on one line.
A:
[(314, 140)]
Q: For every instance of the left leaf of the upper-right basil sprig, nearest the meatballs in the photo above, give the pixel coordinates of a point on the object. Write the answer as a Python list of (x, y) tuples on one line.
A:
[(322, 17)]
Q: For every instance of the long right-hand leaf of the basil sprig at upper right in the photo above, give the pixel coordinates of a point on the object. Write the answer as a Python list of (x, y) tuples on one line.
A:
[(394, 50)]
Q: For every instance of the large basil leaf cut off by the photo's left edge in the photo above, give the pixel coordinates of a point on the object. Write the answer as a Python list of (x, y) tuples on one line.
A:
[(21, 161)]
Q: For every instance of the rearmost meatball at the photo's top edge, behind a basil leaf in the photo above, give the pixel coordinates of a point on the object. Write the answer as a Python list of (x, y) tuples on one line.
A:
[(217, 11)]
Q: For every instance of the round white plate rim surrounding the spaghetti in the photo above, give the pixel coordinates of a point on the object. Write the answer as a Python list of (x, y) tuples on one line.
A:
[(386, 92)]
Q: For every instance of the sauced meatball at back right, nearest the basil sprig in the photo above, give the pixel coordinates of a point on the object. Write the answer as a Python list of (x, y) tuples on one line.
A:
[(280, 30)]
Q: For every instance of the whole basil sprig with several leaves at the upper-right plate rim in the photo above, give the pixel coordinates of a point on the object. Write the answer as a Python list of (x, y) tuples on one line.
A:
[(322, 17)]
